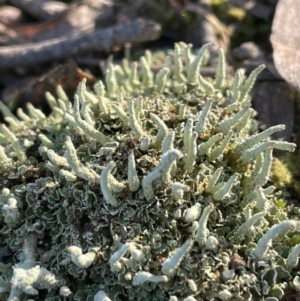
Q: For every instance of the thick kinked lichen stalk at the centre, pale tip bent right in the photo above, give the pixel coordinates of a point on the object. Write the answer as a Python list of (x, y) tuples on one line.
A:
[(162, 170)]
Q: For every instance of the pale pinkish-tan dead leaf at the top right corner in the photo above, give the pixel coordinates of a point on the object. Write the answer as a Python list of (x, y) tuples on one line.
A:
[(285, 39)]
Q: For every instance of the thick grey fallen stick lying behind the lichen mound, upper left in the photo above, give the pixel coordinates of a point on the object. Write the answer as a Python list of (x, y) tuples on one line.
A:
[(139, 30)]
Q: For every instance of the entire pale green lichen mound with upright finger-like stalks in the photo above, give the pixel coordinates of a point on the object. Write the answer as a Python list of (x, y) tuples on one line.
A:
[(150, 187)]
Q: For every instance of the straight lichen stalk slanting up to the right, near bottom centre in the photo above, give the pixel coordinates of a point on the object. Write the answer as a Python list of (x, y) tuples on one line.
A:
[(172, 263)]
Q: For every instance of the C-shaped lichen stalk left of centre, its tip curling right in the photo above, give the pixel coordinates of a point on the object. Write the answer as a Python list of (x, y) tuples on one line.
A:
[(105, 184)]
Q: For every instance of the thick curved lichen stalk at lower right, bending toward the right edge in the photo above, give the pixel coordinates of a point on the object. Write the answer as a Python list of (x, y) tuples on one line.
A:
[(259, 252)]
